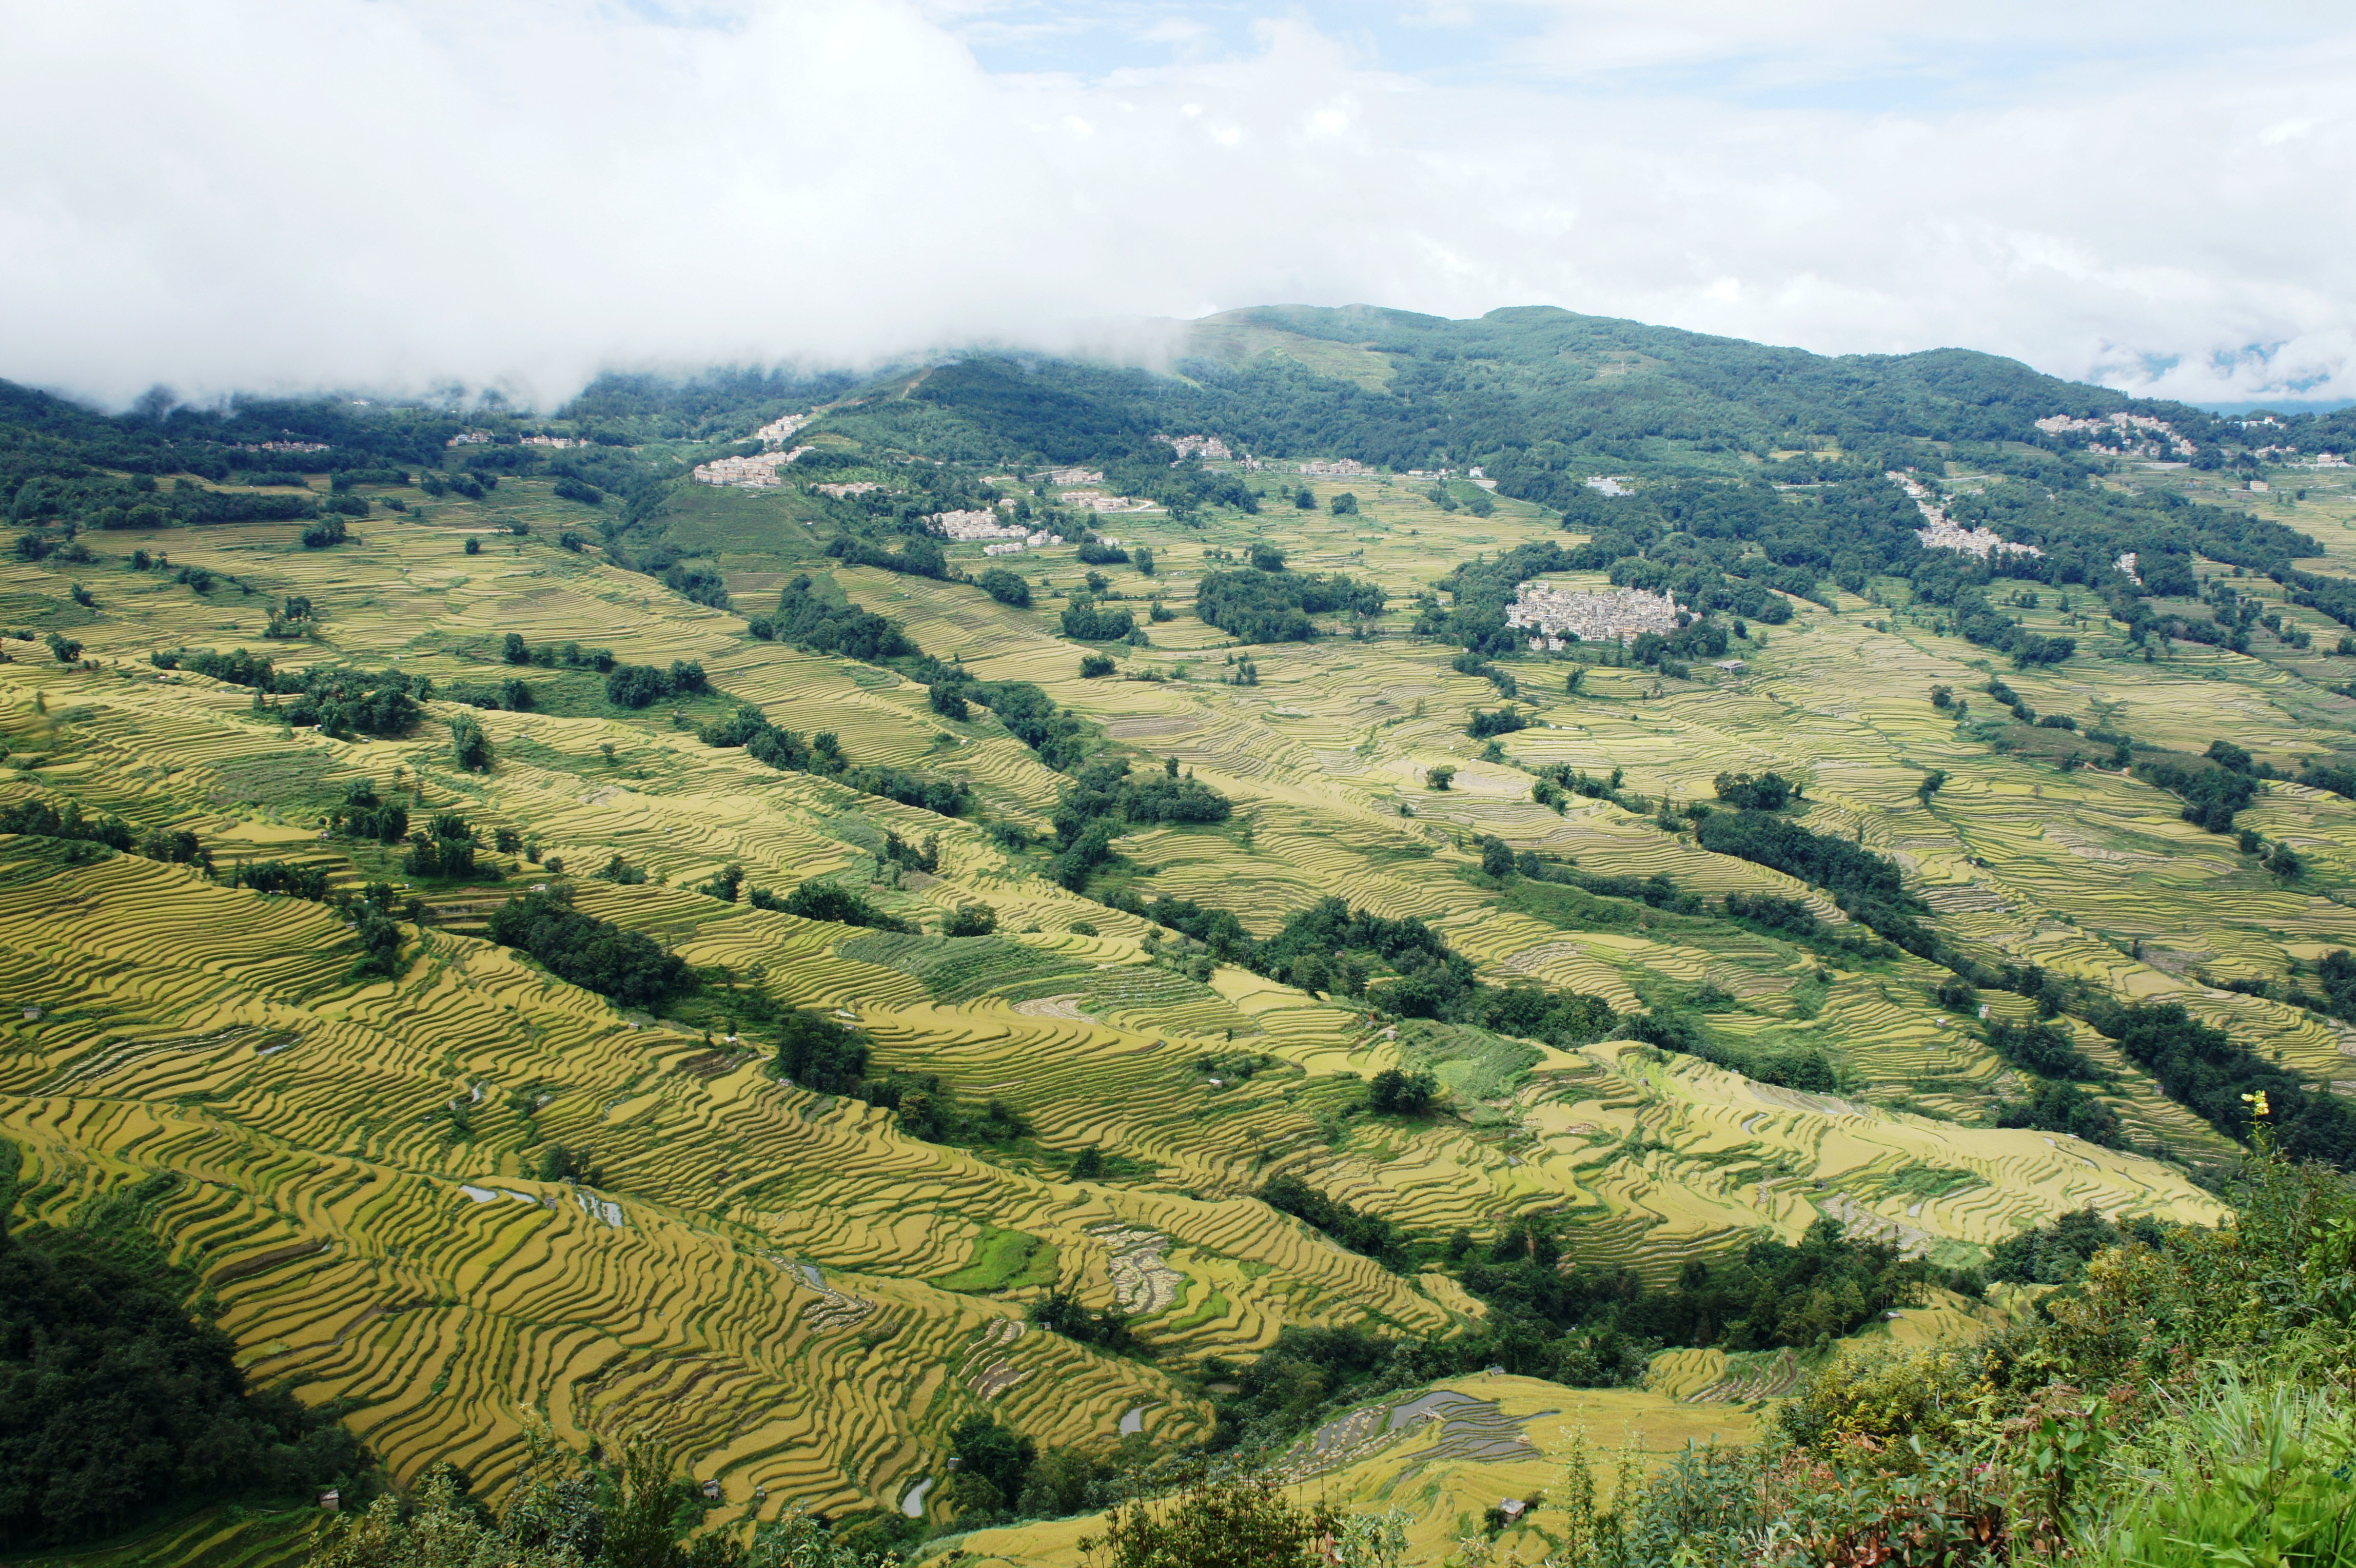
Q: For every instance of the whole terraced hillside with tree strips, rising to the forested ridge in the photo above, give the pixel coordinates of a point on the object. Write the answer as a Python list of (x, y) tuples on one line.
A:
[(461, 1190)]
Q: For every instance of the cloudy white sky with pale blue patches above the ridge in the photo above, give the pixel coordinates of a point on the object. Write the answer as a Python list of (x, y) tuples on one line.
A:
[(392, 194)]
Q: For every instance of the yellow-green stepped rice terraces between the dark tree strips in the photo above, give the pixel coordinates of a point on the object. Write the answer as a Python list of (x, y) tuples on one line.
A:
[(800, 1296)]
